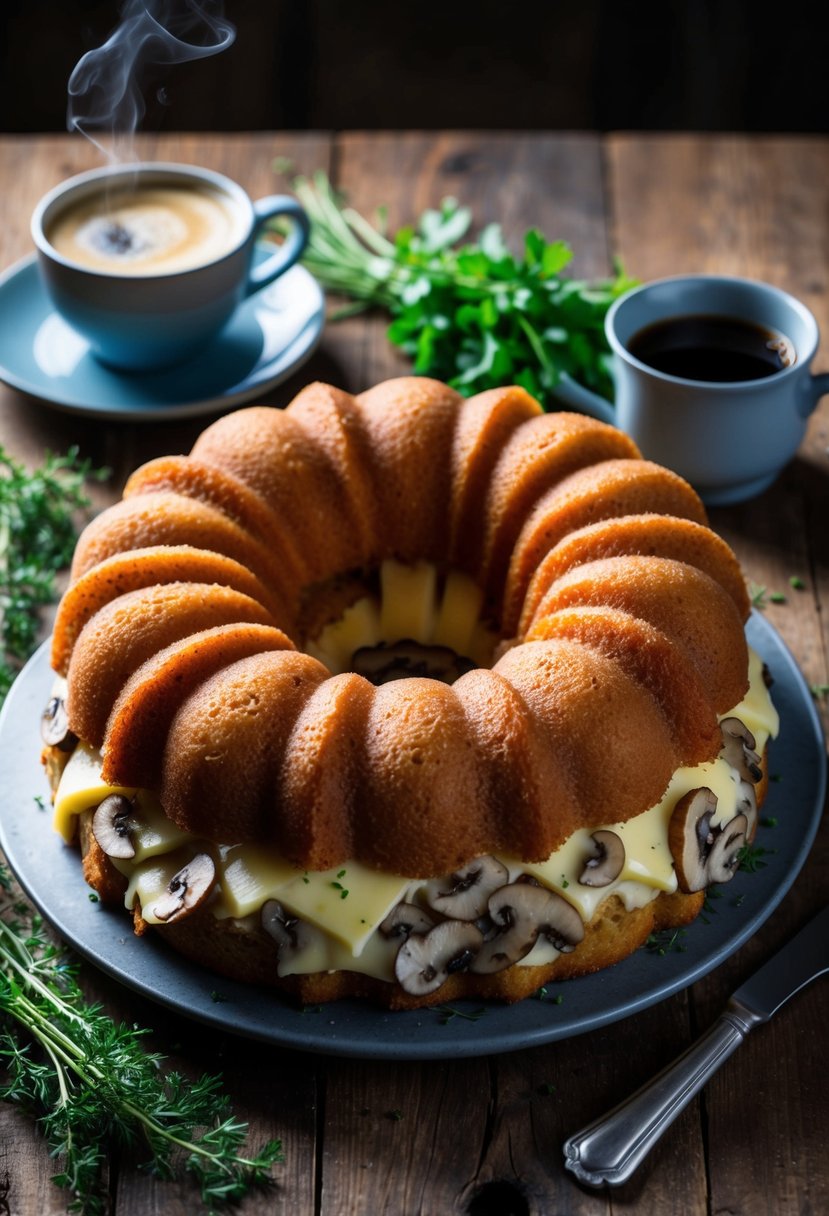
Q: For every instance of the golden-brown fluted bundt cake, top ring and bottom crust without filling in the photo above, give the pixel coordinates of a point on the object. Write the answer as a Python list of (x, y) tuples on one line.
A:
[(619, 618)]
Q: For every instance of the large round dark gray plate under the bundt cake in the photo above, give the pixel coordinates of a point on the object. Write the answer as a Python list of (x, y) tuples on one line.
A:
[(50, 874)]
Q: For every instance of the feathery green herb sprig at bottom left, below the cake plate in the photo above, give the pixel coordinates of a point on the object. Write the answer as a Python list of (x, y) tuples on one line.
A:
[(93, 1085)]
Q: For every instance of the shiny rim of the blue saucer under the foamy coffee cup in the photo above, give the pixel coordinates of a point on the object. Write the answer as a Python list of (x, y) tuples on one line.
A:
[(306, 342)]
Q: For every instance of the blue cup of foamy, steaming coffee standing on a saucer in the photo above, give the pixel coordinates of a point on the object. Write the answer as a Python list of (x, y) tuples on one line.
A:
[(144, 316)]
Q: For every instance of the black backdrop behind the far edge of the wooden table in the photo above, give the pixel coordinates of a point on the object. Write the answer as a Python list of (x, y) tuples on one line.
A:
[(588, 65)]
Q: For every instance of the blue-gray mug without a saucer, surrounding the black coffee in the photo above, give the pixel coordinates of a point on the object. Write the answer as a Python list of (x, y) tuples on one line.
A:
[(729, 438)]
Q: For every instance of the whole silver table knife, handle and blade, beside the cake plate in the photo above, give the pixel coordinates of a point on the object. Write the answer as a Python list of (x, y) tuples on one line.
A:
[(610, 1150)]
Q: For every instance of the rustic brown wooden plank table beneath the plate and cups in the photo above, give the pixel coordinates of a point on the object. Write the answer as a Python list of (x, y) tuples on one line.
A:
[(484, 1136)]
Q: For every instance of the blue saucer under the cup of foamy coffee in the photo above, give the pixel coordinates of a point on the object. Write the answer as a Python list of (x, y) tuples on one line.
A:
[(269, 337)]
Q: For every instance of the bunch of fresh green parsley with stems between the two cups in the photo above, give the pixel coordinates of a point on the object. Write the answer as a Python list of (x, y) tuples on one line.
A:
[(473, 316)]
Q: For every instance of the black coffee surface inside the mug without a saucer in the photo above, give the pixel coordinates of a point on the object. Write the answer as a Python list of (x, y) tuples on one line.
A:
[(713, 348)]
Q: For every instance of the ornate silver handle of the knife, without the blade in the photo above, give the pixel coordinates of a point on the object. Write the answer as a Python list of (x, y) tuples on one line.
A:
[(610, 1150)]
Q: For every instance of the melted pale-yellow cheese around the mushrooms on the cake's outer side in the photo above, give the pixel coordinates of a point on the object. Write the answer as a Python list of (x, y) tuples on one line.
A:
[(347, 905)]
